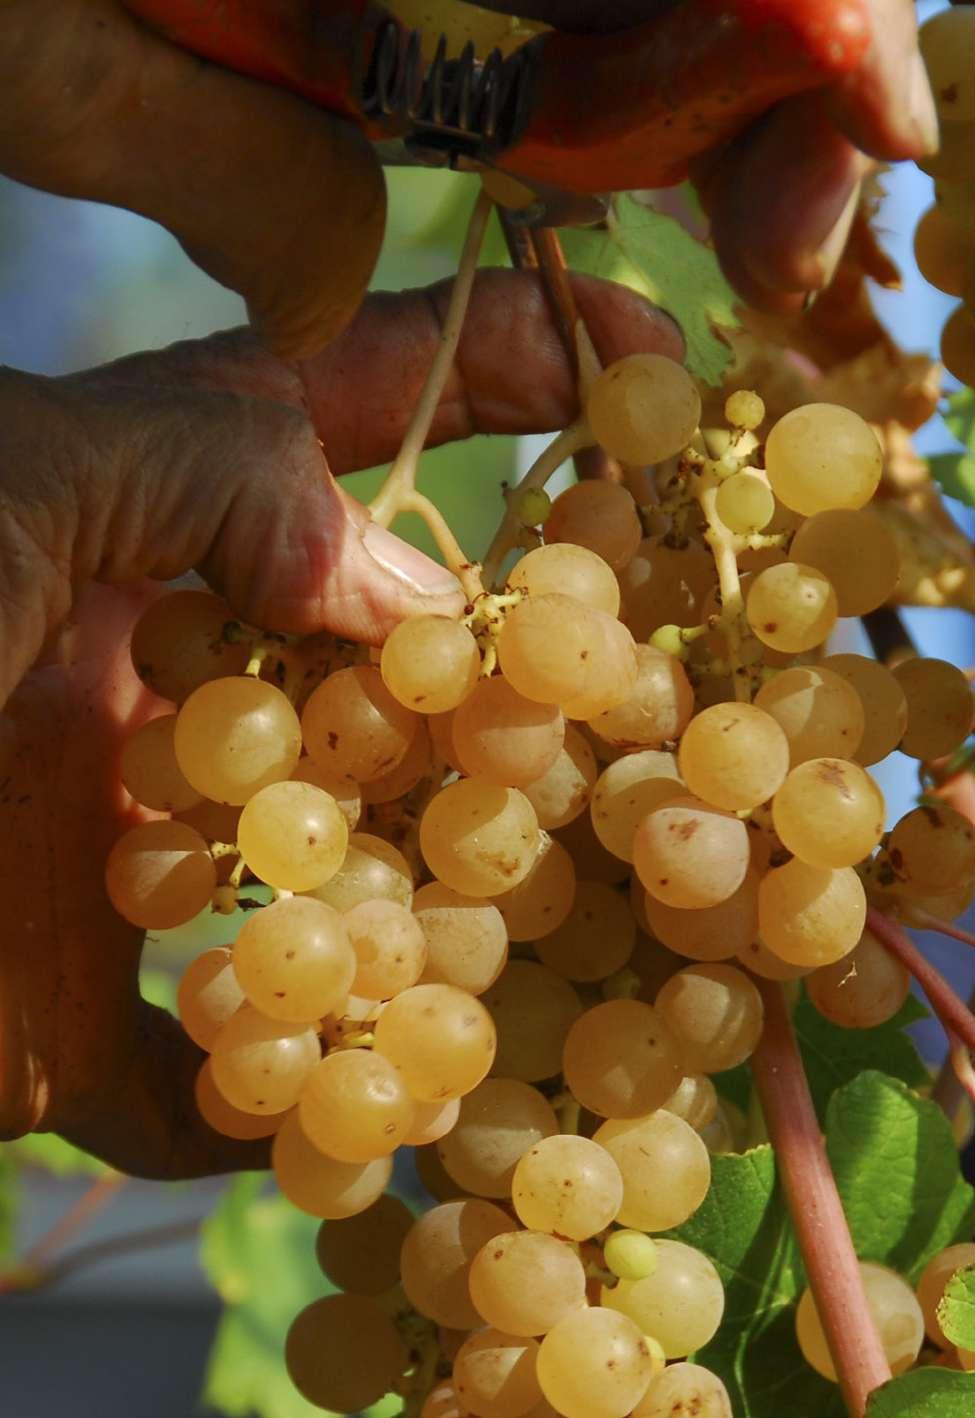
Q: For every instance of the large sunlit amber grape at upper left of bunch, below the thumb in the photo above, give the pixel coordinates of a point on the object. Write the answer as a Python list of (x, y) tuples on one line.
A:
[(236, 737)]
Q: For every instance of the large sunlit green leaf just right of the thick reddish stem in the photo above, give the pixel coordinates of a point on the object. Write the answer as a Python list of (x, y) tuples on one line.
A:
[(896, 1166)]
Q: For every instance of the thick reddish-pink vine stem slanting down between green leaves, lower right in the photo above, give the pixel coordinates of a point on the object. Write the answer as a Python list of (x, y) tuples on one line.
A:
[(816, 1207)]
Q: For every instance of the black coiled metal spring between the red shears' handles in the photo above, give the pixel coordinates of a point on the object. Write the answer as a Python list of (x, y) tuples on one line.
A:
[(463, 107)]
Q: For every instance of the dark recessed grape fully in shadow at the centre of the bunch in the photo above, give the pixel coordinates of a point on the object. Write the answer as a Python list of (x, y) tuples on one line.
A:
[(594, 941)]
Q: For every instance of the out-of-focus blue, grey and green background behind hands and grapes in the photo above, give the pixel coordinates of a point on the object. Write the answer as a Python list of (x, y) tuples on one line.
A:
[(127, 1334)]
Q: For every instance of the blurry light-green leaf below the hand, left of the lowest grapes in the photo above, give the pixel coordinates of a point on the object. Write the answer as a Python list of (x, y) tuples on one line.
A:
[(260, 1256)]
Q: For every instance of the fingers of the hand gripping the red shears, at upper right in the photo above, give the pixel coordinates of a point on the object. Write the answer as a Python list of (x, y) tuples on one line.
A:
[(782, 196)]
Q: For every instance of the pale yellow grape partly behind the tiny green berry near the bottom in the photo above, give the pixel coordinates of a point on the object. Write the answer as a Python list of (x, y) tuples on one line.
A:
[(681, 1305)]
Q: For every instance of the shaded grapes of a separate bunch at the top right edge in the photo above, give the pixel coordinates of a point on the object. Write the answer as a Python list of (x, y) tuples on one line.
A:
[(945, 245)]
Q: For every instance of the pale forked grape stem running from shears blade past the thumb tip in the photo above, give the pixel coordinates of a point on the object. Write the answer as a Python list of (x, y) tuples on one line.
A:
[(399, 493)]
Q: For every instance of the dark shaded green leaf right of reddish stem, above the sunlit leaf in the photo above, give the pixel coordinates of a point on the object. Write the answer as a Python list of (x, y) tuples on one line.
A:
[(834, 1057)]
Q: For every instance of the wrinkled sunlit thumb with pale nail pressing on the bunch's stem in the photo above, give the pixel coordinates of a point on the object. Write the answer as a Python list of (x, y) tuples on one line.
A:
[(118, 484)]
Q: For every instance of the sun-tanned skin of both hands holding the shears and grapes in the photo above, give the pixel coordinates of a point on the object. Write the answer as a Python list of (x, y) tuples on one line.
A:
[(208, 457)]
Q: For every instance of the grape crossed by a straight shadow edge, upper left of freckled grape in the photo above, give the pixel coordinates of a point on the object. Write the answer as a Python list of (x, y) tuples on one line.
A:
[(501, 1120)]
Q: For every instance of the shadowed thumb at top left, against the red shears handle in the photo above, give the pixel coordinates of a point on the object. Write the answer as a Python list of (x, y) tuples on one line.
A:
[(271, 196)]
